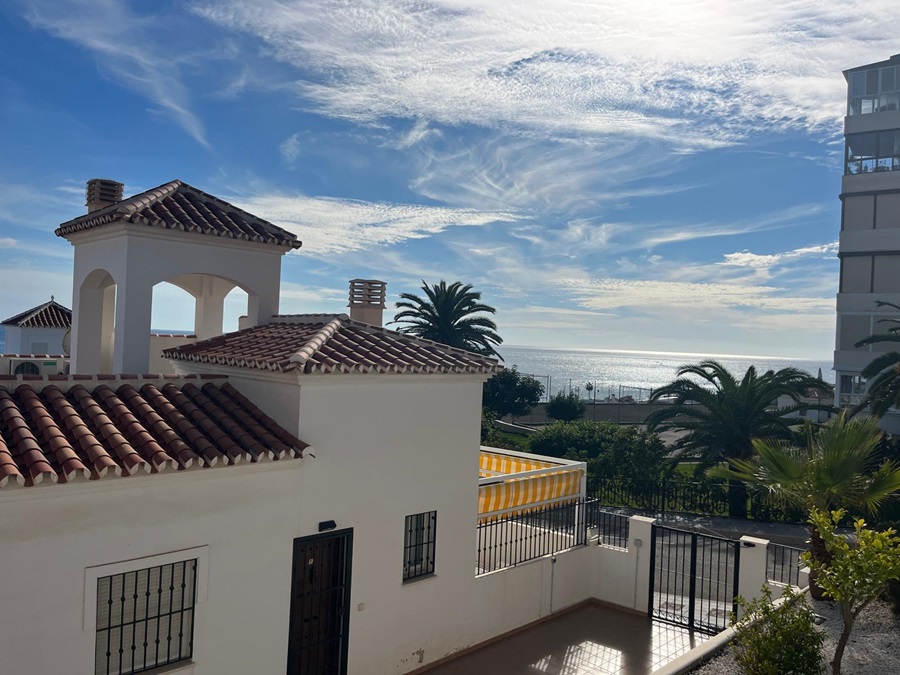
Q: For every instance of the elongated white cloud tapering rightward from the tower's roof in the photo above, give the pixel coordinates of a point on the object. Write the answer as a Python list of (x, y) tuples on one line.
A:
[(329, 226)]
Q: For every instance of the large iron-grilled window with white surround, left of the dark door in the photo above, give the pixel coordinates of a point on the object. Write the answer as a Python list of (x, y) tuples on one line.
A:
[(145, 618)]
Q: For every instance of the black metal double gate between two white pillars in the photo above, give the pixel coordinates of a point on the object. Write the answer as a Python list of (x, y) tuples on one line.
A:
[(693, 578)]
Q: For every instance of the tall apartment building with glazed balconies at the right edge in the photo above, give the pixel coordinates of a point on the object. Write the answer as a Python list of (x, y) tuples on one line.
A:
[(870, 220)]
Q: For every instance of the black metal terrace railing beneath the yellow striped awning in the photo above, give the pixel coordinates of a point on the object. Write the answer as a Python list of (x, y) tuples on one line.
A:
[(513, 539)]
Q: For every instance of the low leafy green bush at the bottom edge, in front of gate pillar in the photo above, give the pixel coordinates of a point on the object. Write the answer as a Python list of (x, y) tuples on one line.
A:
[(777, 640)]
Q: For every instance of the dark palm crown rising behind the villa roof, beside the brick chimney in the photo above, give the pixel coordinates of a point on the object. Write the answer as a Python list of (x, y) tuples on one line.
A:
[(445, 315)]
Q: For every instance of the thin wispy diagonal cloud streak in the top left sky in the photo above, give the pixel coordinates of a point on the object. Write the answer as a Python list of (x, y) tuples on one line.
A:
[(127, 48)]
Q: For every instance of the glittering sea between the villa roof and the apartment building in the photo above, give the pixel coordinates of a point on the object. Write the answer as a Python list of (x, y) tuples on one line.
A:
[(633, 373)]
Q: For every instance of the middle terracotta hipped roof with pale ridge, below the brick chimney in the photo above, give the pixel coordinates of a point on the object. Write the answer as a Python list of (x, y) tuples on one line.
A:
[(316, 343)]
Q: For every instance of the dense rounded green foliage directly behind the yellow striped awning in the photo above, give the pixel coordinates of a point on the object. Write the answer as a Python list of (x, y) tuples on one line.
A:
[(610, 450)]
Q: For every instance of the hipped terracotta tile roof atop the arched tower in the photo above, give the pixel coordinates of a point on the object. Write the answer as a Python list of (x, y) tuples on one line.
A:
[(179, 206)]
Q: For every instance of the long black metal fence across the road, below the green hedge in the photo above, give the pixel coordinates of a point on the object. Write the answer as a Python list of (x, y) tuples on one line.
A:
[(708, 498)]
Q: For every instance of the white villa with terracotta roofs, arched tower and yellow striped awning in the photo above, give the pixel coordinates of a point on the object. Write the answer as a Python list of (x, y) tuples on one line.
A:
[(305, 495)]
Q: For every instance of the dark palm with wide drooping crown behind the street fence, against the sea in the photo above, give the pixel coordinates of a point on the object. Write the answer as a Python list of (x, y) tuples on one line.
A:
[(722, 415)]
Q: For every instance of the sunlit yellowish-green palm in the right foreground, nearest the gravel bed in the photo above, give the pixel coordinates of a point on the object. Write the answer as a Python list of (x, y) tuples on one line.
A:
[(838, 469)]
